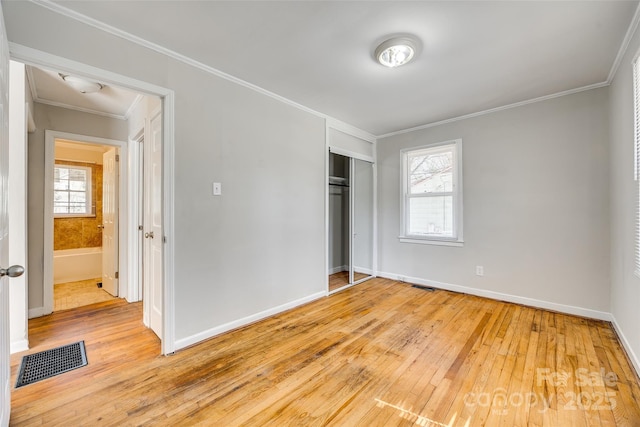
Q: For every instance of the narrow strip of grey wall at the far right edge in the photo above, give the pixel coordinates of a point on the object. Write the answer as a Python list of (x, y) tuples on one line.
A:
[(625, 287)]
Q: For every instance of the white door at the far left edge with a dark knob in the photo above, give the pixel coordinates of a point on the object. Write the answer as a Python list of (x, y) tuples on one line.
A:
[(5, 370)]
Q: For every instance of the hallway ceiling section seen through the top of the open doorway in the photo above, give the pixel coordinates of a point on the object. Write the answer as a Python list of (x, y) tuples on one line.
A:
[(47, 87)]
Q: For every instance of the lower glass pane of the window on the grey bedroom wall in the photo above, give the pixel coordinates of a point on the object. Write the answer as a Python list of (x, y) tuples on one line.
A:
[(431, 216)]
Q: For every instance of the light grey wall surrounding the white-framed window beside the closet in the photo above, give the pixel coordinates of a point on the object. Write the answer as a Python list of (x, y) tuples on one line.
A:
[(536, 206)]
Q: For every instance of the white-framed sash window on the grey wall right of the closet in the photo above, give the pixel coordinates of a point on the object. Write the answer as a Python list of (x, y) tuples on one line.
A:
[(432, 194)]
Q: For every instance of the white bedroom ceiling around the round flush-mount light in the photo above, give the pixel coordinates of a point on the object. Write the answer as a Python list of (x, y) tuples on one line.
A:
[(476, 55)]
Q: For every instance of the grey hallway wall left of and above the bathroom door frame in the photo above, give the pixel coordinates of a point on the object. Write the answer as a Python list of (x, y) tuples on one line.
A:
[(62, 120)]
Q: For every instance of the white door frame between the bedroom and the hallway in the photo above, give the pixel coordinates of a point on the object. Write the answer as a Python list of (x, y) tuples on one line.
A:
[(39, 58)]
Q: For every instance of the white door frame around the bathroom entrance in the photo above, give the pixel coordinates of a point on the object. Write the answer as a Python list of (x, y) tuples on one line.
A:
[(125, 287)]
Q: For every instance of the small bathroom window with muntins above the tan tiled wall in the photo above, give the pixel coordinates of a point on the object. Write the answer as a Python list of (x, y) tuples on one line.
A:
[(72, 191)]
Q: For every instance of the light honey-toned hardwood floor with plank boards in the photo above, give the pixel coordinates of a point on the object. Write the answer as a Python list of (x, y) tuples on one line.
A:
[(381, 353)]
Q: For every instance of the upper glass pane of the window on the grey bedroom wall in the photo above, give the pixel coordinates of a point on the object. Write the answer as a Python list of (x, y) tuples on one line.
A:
[(431, 172)]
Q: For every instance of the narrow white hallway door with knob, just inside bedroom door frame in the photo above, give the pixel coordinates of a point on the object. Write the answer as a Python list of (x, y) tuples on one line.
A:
[(153, 226)]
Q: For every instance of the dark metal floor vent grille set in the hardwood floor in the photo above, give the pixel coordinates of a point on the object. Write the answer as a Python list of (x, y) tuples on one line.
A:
[(49, 363)]
